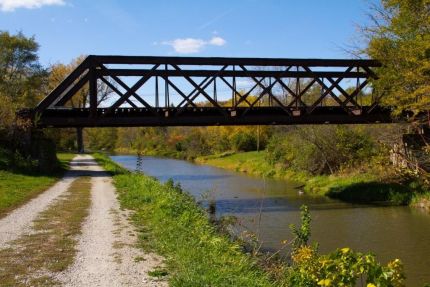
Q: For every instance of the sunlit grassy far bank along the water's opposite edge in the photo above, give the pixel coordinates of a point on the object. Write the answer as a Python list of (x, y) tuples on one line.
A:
[(358, 187)]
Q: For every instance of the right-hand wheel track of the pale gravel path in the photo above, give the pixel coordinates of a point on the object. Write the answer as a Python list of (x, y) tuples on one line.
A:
[(107, 255)]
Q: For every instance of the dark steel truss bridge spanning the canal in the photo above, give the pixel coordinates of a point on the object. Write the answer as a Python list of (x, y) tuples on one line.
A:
[(119, 91)]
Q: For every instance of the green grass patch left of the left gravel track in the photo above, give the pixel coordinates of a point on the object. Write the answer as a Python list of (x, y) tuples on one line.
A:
[(19, 186)]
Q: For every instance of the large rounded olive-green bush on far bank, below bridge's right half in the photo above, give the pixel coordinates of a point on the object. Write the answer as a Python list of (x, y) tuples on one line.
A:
[(320, 149)]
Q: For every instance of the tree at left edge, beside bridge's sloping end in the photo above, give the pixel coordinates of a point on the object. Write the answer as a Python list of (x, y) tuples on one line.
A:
[(22, 80)]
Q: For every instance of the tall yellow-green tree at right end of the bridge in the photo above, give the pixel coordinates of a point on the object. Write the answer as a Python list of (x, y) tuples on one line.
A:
[(400, 39)]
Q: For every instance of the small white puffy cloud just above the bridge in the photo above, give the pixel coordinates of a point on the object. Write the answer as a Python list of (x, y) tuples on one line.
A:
[(192, 45)]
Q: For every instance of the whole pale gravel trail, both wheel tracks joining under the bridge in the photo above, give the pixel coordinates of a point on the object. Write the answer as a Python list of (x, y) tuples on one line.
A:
[(106, 251)]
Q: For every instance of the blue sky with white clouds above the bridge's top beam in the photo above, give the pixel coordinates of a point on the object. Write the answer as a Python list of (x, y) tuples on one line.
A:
[(66, 29)]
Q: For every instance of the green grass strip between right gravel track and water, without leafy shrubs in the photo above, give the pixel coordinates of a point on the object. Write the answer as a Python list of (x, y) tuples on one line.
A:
[(173, 225)]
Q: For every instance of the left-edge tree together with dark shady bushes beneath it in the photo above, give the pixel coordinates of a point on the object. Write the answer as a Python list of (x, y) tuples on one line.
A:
[(22, 82)]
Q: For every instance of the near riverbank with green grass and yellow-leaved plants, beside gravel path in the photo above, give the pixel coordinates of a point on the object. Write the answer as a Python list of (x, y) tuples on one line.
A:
[(199, 253)]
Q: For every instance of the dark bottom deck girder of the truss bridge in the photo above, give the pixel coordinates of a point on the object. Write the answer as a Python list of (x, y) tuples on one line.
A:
[(204, 116)]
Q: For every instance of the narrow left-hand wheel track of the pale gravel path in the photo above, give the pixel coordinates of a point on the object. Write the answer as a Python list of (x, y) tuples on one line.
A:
[(20, 220)]
